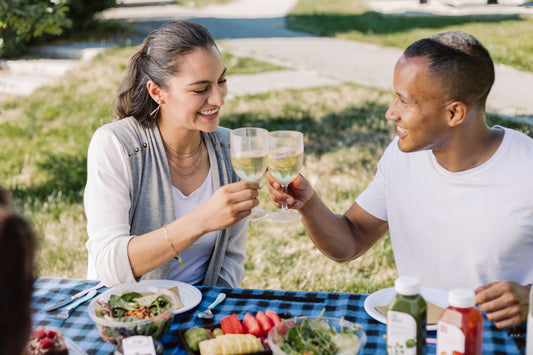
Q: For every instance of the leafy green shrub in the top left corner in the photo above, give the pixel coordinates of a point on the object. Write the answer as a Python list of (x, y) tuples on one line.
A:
[(23, 20)]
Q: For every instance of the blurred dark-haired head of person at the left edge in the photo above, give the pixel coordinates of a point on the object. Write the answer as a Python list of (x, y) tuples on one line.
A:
[(17, 244)]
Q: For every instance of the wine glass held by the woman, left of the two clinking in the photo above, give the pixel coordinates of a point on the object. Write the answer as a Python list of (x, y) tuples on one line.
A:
[(249, 154)]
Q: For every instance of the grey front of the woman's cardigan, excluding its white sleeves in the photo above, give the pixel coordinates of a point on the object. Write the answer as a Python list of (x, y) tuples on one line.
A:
[(152, 202)]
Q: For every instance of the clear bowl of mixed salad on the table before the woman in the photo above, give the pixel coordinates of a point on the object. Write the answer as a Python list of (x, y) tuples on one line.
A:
[(133, 309)]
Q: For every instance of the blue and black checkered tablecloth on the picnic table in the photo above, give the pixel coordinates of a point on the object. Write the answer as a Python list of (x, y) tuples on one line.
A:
[(81, 329)]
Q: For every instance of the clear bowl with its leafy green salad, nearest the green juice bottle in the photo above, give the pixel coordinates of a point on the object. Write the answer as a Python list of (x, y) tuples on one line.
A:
[(316, 335)]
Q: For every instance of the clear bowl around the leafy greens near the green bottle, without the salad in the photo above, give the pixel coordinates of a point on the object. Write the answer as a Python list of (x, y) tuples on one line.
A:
[(348, 345)]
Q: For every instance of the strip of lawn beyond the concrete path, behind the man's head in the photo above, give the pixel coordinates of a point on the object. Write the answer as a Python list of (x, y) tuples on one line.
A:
[(508, 38)]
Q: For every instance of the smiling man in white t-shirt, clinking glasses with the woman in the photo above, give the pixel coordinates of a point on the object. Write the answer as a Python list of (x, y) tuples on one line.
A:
[(456, 195)]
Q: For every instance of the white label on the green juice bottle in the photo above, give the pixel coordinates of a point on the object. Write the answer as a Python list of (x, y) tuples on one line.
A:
[(401, 333)]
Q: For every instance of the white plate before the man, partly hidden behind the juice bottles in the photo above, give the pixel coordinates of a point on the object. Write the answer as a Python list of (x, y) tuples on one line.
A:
[(383, 298)]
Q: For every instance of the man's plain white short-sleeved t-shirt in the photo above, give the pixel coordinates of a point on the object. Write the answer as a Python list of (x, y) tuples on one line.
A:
[(462, 229)]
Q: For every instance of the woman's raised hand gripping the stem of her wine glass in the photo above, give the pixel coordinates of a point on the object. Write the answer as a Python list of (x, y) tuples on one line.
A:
[(229, 204)]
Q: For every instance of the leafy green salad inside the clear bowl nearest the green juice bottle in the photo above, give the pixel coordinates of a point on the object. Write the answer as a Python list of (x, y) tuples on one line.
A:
[(316, 337)]
